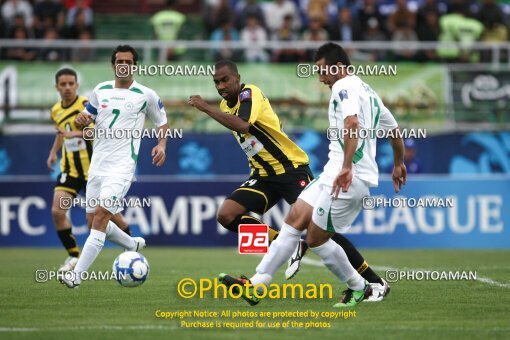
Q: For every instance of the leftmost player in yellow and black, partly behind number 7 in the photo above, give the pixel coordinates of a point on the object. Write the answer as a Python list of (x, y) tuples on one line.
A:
[(74, 165)]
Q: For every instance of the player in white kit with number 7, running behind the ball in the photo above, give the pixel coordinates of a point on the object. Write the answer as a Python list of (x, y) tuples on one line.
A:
[(117, 104)]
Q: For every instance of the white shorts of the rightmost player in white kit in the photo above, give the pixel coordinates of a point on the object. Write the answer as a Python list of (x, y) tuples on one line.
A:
[(334, 215)]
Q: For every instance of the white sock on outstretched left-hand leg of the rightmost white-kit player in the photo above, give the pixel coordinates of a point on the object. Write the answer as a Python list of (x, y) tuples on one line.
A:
[(279, 252)]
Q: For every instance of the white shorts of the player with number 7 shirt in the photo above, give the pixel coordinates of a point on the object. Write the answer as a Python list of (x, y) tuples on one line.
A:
[(107, 192)]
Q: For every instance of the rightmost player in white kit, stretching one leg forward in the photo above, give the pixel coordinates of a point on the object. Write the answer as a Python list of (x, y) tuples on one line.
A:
[(332, 201)]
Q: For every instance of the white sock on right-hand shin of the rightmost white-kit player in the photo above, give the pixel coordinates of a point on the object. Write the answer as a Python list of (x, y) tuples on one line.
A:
[(334, 257)]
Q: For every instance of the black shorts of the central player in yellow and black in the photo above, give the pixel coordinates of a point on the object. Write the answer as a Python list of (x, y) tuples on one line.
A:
[(259, 194)]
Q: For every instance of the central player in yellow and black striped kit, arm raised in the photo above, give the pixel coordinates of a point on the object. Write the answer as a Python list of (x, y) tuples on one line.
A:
[(279, 168)]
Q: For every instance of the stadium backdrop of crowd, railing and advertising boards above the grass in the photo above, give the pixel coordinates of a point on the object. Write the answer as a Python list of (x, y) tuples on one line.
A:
[(460, 97)]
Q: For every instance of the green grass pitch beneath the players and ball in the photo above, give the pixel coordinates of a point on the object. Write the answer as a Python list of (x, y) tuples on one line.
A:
[(104, 310)]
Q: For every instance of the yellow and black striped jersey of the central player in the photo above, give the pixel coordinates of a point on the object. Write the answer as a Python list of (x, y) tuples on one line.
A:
[(269, 150)]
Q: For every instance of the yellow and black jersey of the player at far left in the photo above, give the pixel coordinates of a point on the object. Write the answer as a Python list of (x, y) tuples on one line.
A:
[(76, 152)]
